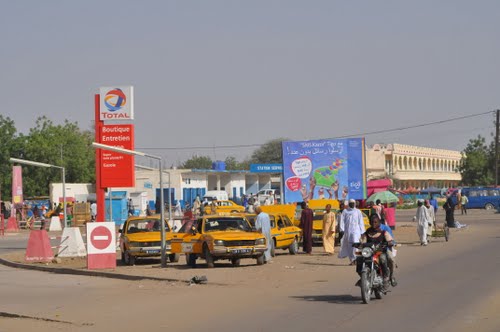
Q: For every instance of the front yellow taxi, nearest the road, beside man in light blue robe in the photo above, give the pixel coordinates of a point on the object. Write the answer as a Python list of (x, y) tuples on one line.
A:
[(219, 237)]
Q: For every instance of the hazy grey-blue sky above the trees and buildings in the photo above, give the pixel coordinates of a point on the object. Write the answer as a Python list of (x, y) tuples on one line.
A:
[(210, 76)]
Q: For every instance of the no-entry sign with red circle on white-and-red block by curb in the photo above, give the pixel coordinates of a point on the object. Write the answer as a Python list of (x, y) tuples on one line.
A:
[(101, 245)]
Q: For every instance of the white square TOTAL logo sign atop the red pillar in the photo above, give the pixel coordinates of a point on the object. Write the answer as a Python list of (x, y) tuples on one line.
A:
[(117, 103)]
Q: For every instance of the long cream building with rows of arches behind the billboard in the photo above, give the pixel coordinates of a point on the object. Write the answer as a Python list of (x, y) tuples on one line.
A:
[(413, 166)]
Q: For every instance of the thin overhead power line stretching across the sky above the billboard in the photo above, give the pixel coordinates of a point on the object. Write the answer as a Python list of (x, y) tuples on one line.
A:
[(255, 145)]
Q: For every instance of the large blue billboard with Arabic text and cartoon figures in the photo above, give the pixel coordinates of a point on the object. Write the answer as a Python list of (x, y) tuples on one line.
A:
[(329, 168)]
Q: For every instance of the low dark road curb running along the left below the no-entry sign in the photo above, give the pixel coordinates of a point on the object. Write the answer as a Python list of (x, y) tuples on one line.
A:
[(88, 273)]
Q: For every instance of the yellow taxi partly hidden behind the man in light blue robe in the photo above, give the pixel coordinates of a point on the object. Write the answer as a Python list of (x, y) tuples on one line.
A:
[(284, 234)]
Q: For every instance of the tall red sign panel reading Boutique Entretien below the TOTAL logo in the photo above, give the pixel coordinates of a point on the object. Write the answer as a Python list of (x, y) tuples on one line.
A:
[(117, 169)]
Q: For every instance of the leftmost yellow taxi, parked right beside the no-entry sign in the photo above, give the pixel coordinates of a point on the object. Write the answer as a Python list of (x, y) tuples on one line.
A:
[(141, 237)]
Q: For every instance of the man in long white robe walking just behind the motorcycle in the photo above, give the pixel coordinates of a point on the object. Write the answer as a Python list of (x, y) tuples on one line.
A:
[(352, 226)]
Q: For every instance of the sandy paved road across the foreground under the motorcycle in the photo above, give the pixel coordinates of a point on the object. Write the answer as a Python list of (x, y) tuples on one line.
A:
[(443, 287)]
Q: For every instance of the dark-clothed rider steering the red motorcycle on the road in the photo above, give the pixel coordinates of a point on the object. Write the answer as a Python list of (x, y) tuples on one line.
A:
[(375, 234)]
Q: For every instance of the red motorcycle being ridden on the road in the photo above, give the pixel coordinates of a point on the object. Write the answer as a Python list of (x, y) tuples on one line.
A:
[(370, 270)]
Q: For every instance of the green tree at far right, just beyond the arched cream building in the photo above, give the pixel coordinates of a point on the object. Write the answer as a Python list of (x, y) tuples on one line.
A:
[(476, 163)]
